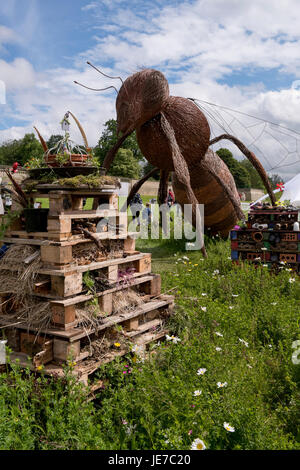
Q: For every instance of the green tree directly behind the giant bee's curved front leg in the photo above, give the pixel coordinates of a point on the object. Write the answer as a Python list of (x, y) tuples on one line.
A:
[(109, 138)]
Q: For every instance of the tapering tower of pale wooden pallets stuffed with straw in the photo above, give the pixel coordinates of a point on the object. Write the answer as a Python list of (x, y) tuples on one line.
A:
[(86, 327)]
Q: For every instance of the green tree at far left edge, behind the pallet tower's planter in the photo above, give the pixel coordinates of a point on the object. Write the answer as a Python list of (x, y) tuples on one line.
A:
[(20, 150)]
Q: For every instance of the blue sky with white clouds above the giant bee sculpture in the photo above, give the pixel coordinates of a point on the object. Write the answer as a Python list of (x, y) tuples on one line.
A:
[(240, 54)]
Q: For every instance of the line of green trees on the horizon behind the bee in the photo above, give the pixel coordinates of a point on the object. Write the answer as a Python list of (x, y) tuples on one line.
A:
[(129, 161)]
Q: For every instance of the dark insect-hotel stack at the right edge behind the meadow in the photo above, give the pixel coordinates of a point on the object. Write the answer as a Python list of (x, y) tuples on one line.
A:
[(271, 236)]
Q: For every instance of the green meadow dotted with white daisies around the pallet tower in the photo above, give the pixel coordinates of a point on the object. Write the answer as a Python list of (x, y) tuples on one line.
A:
[(230, 361)]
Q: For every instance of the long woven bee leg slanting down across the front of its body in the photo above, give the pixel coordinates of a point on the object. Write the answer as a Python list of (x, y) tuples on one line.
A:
[(182, 172)]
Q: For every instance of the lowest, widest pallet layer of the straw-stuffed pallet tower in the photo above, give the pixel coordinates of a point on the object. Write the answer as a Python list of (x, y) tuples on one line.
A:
[(139, 326)]
